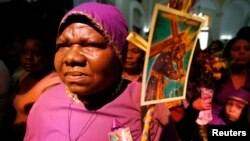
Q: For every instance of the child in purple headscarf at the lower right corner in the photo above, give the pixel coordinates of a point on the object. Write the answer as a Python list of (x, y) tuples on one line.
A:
[(234, 112)]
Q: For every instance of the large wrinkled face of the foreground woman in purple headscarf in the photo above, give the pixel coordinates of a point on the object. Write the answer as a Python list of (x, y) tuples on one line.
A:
[(84, 61)]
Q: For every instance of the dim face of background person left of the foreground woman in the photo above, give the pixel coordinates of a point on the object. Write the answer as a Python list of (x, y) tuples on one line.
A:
[(33, 57)]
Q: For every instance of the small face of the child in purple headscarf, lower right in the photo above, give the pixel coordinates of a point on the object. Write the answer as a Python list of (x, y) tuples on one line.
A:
[(233, 110)]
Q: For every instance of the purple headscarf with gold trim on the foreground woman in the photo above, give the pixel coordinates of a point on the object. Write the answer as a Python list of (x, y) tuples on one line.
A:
[(108, 19)]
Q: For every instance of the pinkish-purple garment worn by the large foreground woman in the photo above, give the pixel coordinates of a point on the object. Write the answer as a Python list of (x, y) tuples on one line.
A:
[(50, 117)]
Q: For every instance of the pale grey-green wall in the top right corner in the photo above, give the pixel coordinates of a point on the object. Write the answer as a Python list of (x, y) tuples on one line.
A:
[(227, 16)]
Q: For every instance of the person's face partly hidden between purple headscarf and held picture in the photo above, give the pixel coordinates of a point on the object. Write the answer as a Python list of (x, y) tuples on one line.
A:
[(133, 66)]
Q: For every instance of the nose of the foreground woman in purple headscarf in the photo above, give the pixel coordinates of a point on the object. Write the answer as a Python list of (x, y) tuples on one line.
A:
[(75, 56)]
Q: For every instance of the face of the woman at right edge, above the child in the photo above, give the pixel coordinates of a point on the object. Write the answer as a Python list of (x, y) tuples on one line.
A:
[(240, 52)]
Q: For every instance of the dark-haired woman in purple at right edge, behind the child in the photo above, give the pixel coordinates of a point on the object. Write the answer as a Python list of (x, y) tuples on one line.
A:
[(237, 52)]
